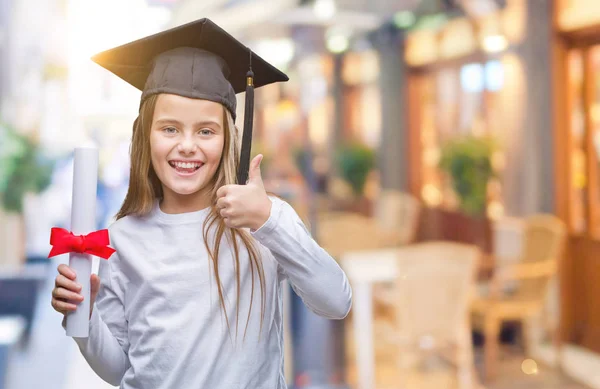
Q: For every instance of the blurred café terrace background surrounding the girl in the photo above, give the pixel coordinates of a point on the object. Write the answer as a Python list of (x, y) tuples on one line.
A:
[(445, 152)]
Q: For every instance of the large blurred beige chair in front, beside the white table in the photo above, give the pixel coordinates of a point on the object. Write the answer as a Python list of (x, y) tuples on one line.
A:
[(433, 291)]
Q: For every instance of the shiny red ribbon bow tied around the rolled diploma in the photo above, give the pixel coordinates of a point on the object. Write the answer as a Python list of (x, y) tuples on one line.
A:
[(95, 243)]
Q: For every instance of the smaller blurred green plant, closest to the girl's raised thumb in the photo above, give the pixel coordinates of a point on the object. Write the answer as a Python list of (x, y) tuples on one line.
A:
[(354, 162)]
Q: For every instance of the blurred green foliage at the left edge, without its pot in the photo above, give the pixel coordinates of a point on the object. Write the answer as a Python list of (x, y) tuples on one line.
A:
[(23, 168)]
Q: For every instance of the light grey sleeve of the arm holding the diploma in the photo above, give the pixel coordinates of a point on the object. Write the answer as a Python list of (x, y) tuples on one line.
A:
[(107, 346)]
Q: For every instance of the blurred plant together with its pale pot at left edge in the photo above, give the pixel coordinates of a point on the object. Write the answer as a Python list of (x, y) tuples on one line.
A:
[(23, 169)]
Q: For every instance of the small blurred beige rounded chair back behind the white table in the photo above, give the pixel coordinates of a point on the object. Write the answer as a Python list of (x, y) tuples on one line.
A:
[(398, 211)]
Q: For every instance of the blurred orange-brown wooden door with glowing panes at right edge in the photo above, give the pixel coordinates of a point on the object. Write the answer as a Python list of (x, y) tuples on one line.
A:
[(577, 153)]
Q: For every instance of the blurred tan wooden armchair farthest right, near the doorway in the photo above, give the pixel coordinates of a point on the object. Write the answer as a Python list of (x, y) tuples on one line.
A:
[(528, 279)]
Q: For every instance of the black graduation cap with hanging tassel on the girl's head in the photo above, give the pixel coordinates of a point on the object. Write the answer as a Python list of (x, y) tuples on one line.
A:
[(196, 60)]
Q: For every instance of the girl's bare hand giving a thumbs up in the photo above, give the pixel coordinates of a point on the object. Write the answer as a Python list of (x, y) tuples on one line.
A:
[(245, 206)]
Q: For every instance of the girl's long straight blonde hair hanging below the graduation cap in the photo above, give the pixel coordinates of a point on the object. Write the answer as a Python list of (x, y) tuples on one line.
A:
[(145, 188)]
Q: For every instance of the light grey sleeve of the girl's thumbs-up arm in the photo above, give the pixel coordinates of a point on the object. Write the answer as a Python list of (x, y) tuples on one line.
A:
[(314, 275)]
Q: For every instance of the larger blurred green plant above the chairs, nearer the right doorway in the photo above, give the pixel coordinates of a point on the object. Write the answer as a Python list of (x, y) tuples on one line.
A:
[(467, 160)]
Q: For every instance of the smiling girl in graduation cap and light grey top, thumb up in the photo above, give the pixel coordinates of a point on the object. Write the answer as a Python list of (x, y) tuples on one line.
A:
[(199, 259)]
